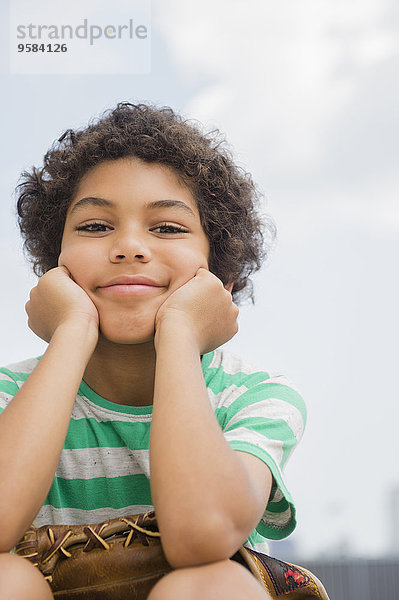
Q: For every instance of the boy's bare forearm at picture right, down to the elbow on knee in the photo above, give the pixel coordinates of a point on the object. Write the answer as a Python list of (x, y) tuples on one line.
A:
[(200, 488)]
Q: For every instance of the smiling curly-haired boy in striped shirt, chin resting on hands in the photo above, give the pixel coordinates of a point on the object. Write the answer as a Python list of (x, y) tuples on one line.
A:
[(144, 231)]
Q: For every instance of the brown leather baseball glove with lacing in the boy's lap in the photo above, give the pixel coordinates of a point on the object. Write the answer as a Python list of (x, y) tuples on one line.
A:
[(123, 558)]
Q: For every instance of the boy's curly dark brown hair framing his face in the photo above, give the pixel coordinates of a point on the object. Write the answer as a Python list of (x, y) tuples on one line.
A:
[(226, 196)]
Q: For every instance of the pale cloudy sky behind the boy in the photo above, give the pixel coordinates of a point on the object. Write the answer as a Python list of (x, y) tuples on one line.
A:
[(306, 93)]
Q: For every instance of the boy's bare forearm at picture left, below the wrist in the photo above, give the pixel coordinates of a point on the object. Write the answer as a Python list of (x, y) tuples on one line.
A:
[(34, 425)]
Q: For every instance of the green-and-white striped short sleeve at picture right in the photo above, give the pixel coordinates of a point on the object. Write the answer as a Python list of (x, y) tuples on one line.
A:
[(262, 414)]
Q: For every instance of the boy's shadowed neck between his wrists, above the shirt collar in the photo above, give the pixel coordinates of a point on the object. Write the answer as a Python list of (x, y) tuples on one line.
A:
[(123, 374)]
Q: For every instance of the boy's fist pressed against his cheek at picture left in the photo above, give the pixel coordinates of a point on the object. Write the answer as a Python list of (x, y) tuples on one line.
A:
[(57, 299)]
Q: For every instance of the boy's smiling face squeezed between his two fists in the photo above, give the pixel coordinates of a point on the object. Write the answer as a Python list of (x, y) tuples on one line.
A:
[(131, 219)]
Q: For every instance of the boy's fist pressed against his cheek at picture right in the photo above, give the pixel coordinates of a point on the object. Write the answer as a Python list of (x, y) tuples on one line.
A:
[(203, 308)]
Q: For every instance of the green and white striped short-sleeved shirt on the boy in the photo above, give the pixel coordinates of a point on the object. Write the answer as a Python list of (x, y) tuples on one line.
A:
[(104, 468)]
